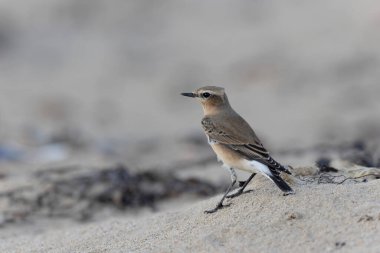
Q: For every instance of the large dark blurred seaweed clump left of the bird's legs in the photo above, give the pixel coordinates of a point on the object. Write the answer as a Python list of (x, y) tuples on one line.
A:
[(81, 196)]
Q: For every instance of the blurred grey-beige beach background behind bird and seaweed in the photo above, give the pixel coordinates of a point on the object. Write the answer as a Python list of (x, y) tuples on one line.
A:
[(93, 83)]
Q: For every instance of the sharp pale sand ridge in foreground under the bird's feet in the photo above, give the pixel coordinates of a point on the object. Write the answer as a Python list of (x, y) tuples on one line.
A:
[(319, 218)]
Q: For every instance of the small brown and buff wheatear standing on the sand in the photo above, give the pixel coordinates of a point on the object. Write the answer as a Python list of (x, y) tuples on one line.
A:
[(234, 142)]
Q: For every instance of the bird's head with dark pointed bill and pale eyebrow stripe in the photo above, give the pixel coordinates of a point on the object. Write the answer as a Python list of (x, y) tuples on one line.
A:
[(212, 98)]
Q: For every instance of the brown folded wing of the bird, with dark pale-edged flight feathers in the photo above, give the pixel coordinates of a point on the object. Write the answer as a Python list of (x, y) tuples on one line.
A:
[(244, 141)]
